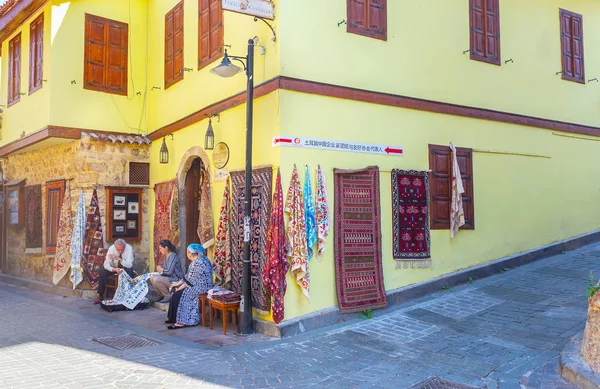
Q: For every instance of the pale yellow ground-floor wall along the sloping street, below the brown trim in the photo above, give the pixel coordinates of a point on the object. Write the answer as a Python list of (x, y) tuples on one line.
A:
[(520, 202)]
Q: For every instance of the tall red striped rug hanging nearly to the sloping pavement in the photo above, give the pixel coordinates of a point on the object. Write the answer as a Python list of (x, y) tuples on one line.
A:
[(357, 233)]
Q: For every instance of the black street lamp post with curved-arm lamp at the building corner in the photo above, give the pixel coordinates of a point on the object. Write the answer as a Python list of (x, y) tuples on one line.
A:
[(227, 69)]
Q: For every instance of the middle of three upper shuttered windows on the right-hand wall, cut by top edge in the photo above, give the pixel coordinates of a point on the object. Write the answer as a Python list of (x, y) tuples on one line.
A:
[(484, 19)]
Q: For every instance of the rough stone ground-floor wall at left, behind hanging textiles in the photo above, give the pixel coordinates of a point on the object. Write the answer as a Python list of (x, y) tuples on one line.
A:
[(88, 164)]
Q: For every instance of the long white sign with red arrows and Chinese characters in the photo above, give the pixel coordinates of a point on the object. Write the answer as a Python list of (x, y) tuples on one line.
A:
[(335, 145)]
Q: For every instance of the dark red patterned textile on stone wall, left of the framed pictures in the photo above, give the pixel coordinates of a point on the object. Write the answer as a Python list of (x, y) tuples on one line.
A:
[(93, 248)]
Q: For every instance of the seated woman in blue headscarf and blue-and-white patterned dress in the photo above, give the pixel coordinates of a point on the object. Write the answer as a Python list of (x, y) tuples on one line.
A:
[(183, 308)]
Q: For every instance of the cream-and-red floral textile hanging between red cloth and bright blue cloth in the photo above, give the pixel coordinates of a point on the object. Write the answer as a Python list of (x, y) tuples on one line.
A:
[(296, 234)]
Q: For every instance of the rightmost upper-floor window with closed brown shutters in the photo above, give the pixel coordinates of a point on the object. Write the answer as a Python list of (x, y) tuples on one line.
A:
[(571, 43)]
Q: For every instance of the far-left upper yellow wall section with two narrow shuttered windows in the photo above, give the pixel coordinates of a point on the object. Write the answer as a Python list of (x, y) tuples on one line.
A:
[(32, 112)]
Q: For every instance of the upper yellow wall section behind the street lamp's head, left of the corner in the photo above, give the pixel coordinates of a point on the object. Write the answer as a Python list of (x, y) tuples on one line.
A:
[(200, 88)]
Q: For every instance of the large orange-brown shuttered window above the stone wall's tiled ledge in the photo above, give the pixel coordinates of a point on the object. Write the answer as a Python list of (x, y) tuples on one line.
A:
[(105, 56)]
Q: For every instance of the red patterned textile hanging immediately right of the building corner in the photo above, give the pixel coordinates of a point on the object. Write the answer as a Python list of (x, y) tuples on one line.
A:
[(277, 264)]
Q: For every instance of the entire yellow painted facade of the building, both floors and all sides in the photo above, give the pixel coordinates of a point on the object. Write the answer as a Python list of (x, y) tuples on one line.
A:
[(521, 202)]
